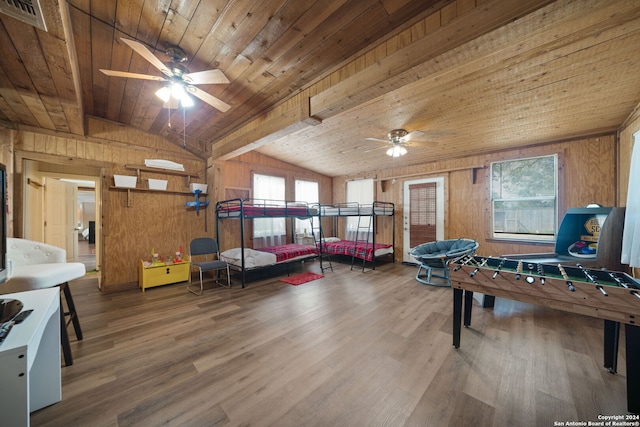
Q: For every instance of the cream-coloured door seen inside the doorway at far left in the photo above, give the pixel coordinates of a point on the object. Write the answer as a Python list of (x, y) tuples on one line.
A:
[(60, 200)]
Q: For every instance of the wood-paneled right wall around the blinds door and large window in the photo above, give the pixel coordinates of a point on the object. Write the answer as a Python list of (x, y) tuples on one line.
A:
[(587, 175)]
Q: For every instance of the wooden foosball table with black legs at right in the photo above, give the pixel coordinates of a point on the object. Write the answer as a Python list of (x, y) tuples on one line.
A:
[(611, 296)]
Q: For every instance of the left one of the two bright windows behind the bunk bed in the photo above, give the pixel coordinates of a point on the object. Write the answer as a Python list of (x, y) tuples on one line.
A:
[(269, 231)]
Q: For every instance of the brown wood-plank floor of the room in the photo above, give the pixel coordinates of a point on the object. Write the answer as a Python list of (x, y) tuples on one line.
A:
[(351, 349)]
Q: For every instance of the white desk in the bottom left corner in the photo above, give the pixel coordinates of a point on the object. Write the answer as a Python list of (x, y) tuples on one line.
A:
[(30, 371)]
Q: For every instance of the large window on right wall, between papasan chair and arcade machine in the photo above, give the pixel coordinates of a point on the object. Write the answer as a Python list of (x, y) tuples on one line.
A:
[(524, 198)]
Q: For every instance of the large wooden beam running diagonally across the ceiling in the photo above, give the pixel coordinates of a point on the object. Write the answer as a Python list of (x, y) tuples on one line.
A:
[(394, 68)]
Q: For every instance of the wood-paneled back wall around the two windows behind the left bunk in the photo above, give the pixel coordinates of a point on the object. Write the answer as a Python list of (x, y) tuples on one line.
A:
[(233, 179)]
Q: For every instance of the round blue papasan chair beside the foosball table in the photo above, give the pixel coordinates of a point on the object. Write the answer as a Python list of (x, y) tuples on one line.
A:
[(437, 256)]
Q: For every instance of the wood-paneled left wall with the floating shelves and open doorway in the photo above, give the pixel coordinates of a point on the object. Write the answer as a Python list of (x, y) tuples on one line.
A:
[(132, 223)]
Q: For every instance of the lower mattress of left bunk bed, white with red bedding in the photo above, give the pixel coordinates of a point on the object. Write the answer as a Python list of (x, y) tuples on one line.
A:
[(272, 255)]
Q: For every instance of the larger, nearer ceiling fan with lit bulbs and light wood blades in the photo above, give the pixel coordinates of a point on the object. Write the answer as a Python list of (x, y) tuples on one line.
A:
[(179, 82)]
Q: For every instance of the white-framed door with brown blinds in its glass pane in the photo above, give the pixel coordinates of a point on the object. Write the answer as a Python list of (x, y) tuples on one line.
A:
[(423, 219)]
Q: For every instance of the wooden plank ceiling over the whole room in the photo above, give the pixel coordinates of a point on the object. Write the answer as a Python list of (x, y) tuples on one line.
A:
[(475, 76)]
